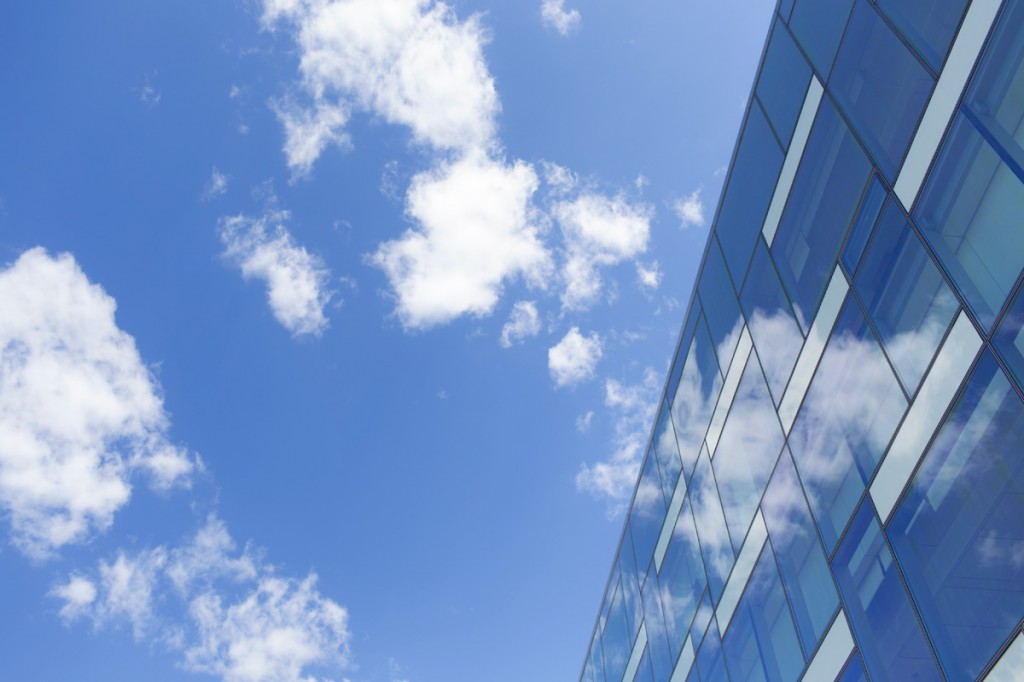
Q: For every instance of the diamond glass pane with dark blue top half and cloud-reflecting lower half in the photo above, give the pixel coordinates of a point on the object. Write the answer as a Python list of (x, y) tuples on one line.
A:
[(773, 325)]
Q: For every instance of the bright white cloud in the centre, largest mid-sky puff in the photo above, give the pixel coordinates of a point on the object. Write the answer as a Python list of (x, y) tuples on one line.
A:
[(477, 229)]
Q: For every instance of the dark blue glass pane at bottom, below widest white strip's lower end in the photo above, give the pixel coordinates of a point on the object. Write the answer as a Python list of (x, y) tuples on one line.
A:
[(881, 616)]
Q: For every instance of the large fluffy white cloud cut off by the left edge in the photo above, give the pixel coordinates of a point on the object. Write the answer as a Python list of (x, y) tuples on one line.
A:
[(79, 411)]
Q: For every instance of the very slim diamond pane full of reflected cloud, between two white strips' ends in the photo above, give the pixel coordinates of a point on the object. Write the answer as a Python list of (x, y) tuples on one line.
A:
[(712, 530)]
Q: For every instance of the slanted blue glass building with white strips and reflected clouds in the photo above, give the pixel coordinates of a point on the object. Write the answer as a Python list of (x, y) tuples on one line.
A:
[(834, 489)]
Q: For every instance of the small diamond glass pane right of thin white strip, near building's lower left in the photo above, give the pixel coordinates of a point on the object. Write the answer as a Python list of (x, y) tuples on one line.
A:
[(682, 579)]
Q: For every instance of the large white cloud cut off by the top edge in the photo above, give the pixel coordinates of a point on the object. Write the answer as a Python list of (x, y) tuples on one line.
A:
[(411, 63)]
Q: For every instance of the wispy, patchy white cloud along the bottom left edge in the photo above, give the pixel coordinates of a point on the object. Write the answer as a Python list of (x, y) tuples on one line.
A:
[(224, 611)]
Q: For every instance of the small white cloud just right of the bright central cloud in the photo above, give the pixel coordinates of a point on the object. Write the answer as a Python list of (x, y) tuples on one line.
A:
[(600, 232)]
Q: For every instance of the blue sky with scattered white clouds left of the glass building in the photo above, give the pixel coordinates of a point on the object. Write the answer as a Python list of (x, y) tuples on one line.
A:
[(332, 331)]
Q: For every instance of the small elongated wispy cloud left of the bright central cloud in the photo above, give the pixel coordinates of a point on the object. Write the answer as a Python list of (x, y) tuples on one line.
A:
[(296, 281)]
